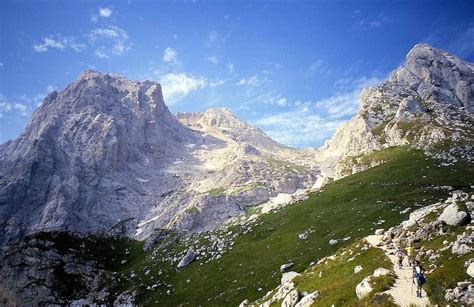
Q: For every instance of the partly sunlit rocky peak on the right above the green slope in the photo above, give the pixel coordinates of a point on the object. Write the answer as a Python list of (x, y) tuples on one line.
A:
[(428, 100)]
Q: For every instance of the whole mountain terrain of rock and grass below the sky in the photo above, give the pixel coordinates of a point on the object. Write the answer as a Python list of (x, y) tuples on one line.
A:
[(109, 198)]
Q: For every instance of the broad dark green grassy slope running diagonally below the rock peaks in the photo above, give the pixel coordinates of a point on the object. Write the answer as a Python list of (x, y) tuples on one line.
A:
[(348, 207)]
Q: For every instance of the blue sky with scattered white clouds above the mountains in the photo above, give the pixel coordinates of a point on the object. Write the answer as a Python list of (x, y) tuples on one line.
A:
[(293, 68)]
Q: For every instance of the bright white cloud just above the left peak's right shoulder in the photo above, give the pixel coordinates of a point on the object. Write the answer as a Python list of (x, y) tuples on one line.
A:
[(176, 86)]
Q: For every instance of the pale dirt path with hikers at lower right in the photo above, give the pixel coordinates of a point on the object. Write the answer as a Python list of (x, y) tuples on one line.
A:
[(402, 291)]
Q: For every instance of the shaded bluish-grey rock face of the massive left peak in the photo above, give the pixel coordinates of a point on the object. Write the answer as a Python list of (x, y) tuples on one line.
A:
[(74, 166)]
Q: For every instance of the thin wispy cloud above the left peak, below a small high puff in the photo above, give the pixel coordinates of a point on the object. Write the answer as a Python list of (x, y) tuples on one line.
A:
[(109, 41)]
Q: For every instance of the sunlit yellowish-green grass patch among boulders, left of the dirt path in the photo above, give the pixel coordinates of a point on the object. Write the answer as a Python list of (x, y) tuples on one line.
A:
[(338, 281)]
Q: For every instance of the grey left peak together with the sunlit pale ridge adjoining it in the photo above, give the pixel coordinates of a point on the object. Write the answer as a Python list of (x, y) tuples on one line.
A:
[(105, 154)]
